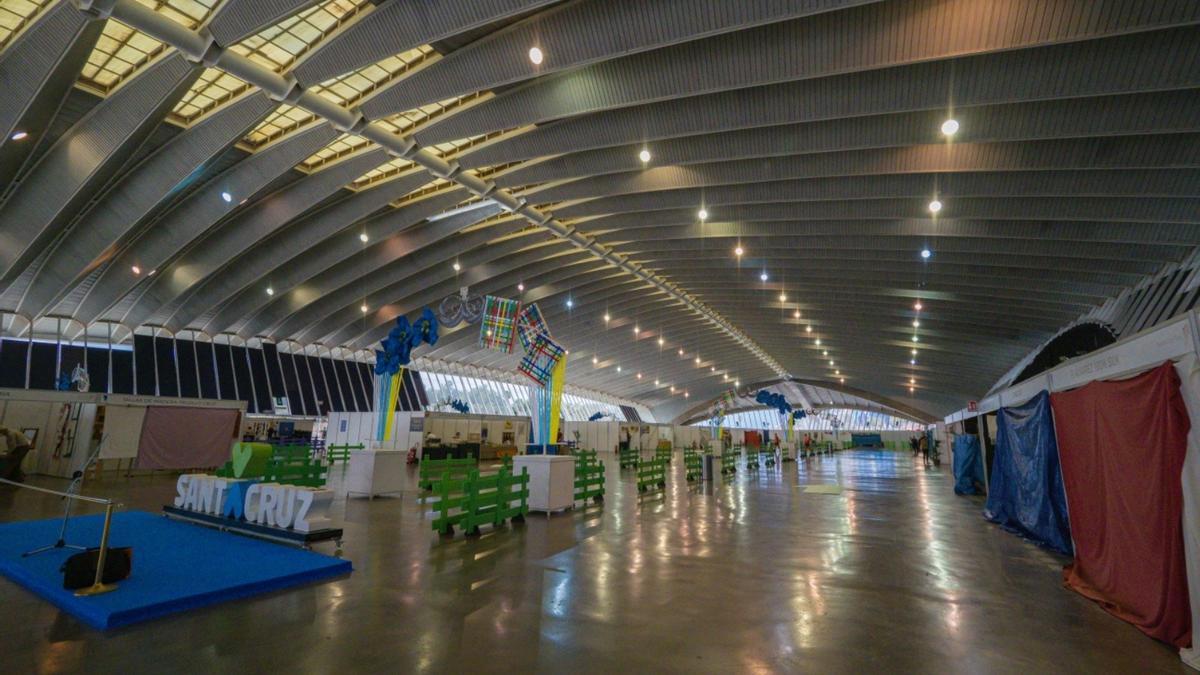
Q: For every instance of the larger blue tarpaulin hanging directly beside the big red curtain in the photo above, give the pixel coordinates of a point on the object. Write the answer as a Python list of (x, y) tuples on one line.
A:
[(1027, 493)]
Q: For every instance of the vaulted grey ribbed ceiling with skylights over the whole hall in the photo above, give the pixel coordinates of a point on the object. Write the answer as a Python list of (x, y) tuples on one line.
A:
[(224, 150)]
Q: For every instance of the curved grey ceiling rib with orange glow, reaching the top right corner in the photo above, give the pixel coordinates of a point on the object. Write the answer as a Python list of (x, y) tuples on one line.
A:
[(890, 34)]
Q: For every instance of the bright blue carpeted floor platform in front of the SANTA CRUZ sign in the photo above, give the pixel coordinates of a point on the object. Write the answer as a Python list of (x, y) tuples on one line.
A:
[(177, 566)]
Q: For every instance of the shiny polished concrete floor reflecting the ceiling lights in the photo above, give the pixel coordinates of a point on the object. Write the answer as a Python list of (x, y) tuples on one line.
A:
[(895, 575)]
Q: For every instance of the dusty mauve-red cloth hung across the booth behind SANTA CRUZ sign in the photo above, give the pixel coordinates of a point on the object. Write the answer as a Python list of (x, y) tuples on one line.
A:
[(176, 438)]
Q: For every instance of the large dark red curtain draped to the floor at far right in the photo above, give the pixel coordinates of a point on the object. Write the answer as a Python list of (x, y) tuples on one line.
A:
[(1123, 446)]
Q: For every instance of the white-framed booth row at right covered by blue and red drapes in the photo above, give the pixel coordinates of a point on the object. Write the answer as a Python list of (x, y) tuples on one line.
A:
[(1099, 459)]
